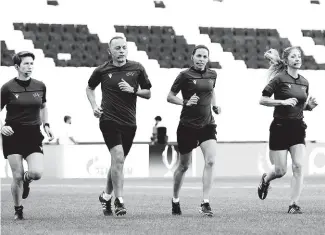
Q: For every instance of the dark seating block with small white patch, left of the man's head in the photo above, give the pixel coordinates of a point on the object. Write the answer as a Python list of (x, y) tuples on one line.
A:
[(85, 48)]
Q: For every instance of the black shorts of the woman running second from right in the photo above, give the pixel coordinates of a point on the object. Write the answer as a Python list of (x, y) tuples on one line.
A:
[(189, 138)]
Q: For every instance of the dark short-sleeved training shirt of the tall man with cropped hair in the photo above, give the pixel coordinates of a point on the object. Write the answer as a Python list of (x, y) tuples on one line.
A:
[(117, 105)]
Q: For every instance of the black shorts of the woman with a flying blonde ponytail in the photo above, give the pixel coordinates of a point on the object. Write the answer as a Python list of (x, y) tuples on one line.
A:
[(286, 133)]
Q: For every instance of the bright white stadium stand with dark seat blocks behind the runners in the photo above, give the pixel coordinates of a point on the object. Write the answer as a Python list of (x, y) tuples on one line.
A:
[(163, 45)]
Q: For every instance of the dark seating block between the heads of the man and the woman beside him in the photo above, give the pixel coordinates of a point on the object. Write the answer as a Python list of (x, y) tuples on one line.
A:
[(161, 43)]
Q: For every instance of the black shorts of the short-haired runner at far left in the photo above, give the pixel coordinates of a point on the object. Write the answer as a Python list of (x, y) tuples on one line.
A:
[(25, 141)]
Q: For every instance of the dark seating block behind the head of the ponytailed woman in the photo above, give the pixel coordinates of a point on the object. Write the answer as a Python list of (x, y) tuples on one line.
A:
[(250, 44)]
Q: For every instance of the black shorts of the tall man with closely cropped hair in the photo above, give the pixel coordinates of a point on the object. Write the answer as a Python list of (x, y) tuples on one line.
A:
[(115, 134)]
